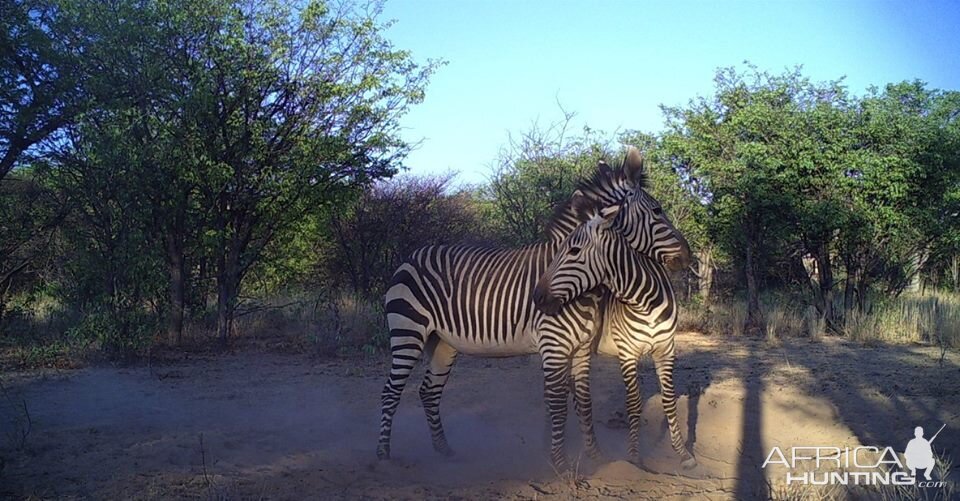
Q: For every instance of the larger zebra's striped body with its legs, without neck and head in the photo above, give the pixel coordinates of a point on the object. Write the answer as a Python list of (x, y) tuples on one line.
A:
[(479, 302)]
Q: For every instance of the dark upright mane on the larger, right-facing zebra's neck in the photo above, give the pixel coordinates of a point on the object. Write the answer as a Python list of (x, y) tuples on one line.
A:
[(607, 186)]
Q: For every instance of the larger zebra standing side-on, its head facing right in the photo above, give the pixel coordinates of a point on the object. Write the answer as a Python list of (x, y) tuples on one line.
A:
[(479, 301)]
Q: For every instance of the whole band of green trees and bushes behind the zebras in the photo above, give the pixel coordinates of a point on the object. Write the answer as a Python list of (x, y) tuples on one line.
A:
[(164, 158)]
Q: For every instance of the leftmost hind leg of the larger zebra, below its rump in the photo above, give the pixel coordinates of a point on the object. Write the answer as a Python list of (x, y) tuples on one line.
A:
[(406, 346)]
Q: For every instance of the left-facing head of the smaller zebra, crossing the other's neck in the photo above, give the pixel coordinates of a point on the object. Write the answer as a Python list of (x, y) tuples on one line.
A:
[(580, 263)]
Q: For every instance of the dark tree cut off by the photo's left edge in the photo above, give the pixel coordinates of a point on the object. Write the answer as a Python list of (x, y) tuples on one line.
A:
[(41, 92)]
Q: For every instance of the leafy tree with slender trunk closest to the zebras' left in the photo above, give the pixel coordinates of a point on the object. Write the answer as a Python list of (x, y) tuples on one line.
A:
[(289, 107)]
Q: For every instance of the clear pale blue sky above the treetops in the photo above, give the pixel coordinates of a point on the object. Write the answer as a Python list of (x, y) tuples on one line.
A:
[(614, 62)]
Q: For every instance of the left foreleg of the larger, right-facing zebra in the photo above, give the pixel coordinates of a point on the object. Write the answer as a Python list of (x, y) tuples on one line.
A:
[(556, 376)]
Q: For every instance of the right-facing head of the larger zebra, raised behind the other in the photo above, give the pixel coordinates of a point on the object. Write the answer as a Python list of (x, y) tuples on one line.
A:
[(643, 222)]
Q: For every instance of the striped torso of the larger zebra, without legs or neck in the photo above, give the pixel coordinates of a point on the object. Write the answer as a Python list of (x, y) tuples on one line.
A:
[(475, 299)]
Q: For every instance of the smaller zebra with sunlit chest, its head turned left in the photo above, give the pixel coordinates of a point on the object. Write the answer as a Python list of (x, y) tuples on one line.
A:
[(640, 321)]
